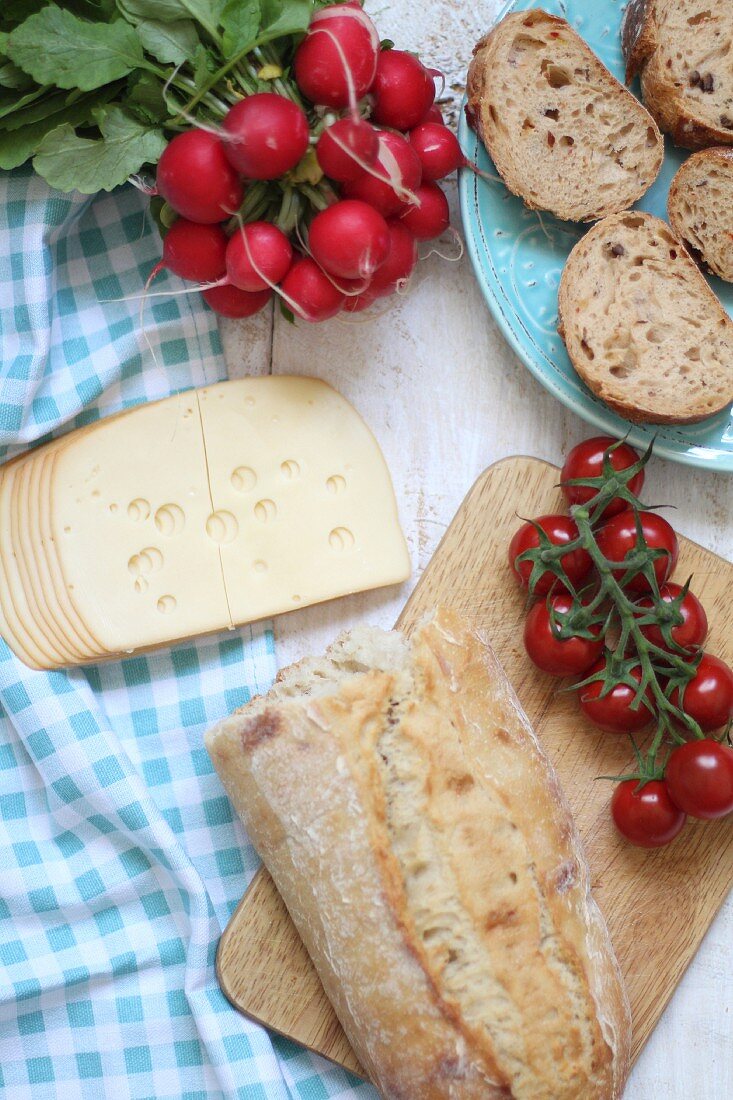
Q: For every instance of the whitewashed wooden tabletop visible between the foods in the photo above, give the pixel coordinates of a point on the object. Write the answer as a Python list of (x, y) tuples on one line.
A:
[(446, 398)]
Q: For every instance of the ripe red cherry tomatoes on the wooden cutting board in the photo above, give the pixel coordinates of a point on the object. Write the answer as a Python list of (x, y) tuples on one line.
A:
[(696, 778)]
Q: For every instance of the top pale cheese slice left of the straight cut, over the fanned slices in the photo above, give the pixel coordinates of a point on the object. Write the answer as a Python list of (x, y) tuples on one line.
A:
[(130, 504)]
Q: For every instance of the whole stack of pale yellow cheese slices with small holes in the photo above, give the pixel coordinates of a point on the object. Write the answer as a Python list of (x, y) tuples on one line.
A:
[(195, 514)]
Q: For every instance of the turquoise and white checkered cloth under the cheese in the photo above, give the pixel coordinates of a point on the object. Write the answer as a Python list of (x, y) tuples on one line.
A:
[(121, 861)]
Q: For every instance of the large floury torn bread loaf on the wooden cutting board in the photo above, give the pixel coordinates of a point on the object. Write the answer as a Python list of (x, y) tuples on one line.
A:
[(425, 852)]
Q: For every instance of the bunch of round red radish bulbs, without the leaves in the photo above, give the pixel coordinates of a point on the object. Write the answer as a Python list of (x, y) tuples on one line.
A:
[(318, 191)]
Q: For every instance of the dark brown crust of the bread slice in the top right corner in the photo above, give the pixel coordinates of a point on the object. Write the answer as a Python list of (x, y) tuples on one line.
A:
[(641, 39)]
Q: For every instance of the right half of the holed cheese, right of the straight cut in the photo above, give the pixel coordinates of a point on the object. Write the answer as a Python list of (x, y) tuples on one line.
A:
[(303, 499)]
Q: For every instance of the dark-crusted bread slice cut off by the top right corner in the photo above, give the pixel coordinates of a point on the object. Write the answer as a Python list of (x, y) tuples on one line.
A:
[(684, 52)]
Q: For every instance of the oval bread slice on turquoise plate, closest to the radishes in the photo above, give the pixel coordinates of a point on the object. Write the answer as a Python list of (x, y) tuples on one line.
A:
[(563, 133)]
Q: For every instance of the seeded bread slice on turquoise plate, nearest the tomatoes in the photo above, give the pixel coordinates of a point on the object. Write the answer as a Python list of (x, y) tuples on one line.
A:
[(644, 331)]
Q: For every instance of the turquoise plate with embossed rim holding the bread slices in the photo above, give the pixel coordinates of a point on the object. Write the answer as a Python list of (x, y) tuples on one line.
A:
[(519, 258)]
